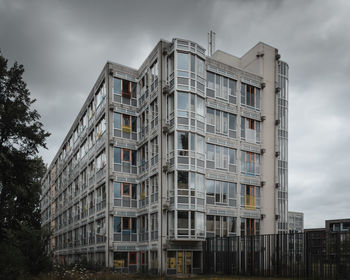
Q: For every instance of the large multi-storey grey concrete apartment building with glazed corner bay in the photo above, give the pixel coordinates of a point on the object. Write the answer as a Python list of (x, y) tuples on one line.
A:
[(186, 147)]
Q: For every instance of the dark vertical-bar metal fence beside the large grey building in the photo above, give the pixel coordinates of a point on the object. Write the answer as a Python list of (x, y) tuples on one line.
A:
[(296, 255)]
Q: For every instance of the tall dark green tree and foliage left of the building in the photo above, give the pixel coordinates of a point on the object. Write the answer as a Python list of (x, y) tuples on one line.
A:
[(21, 170)]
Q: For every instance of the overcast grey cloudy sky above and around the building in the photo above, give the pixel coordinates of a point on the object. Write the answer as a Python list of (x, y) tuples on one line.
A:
[(63, 46)]
